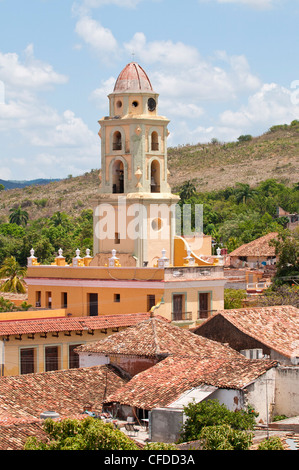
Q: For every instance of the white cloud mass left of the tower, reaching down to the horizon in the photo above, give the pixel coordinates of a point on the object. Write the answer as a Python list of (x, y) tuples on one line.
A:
[(33, 125)]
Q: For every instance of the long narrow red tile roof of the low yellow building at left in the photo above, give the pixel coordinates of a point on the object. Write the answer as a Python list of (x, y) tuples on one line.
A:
[(42, 325)]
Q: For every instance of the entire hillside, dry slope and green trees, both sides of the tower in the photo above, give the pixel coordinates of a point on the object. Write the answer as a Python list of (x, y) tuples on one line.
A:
[(240, 185)]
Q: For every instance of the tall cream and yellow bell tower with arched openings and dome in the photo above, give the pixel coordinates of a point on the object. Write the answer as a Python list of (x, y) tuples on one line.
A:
[(135, 199)]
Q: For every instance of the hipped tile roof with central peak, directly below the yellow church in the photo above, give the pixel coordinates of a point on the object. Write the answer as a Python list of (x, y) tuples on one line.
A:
[(156, 337)]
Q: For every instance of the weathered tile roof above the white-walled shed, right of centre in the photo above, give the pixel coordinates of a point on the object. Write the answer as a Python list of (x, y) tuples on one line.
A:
[(165, 382)]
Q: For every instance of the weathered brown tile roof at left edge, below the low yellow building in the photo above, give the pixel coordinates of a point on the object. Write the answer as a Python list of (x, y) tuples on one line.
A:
[(24, 397)]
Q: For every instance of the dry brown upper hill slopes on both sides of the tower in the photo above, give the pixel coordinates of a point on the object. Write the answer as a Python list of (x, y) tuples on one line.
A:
[(274, 154)]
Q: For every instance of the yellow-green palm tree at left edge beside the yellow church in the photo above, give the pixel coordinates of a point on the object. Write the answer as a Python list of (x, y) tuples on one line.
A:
[(14, 274)]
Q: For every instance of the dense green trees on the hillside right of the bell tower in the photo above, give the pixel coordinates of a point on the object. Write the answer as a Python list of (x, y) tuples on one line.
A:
[(239, 214)]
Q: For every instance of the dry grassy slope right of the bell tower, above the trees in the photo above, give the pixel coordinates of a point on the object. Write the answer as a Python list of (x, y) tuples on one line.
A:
[(216, 166)]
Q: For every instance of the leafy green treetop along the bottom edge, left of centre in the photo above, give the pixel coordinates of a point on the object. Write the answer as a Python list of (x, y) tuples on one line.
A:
[(86, 434)]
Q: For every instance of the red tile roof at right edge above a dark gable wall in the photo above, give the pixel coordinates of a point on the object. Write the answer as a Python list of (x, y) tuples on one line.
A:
[(277, 327)]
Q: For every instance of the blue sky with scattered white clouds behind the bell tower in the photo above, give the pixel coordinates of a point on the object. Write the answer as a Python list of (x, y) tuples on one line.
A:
[(222, 68)]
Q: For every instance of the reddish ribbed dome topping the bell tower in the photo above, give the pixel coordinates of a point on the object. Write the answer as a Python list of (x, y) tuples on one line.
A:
[(132, 78)]
